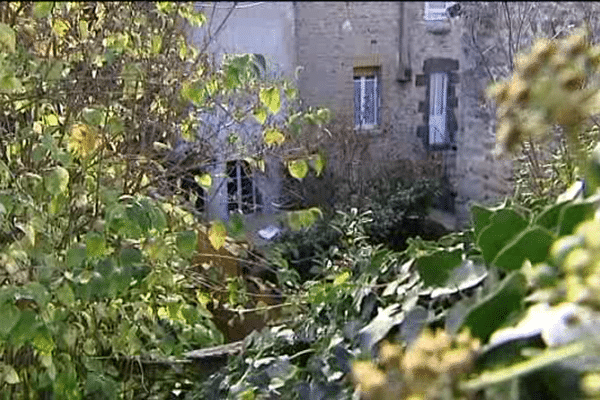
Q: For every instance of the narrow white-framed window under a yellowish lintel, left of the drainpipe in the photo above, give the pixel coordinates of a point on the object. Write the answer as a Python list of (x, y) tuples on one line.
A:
[(366, 97)]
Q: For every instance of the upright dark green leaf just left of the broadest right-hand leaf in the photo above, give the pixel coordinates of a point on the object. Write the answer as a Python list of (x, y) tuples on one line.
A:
[(504, 225)]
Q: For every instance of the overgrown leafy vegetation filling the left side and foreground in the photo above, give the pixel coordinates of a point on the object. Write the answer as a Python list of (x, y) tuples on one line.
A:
[(100, 295)]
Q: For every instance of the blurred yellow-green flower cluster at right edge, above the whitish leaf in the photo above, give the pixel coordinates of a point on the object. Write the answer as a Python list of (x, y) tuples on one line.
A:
[(579, 257)]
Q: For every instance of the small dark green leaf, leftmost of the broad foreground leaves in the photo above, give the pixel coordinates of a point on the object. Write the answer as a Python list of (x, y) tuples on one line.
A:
[(435, 268)]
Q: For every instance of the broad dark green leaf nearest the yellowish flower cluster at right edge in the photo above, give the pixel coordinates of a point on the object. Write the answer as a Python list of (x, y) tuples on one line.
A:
[(532, 244)]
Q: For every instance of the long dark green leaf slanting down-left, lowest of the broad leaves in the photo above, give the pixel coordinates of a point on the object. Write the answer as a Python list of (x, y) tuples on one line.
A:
[(495, 309)]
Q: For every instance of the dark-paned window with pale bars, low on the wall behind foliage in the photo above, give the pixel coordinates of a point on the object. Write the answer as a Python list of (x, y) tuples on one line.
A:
[(243, 195)]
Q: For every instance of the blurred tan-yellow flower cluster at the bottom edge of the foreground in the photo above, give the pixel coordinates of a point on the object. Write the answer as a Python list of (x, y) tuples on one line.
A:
[(430, 366)]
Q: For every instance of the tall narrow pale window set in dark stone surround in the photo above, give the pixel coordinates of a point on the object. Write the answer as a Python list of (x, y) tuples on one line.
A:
[(438, 98)]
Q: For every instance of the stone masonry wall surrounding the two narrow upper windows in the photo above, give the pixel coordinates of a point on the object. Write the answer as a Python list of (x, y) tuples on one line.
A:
[(333, 42)]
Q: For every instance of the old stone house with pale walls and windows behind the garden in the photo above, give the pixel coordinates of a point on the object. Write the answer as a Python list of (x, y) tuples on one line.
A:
[(405, 87)]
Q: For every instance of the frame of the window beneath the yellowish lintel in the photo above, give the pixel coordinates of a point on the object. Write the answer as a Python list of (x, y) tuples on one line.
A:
[(363, 75)]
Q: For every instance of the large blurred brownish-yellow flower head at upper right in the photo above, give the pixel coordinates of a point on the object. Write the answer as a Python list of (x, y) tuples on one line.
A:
[(548, 87)]
